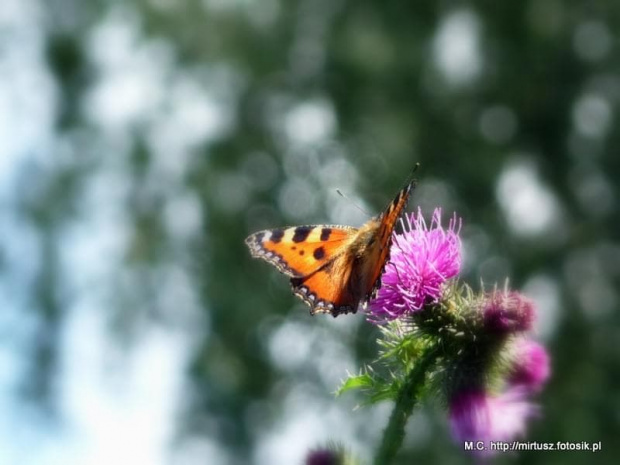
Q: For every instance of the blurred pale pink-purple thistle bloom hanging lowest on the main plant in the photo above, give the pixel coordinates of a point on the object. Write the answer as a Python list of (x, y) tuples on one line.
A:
[(479, 416)]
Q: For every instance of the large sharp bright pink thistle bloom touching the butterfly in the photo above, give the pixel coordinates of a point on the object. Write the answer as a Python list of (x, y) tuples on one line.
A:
[(422, 259)]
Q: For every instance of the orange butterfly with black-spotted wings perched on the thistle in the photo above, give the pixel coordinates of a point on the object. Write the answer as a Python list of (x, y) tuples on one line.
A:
[(332, 268)]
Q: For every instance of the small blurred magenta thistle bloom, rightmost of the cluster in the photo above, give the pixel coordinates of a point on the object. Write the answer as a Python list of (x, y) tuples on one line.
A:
[(532, 366)]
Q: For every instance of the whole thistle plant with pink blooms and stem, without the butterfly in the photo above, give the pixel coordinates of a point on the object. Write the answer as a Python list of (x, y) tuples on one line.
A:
[(443, 337)]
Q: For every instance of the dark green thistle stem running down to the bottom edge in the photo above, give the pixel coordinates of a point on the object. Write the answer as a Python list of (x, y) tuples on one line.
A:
[(405, 403)]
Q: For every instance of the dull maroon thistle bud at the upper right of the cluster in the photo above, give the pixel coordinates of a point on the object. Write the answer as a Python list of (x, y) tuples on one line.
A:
[(508, 312)]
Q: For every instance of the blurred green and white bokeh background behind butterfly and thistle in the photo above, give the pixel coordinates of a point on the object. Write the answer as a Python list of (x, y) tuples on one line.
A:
[(141, 141)]
